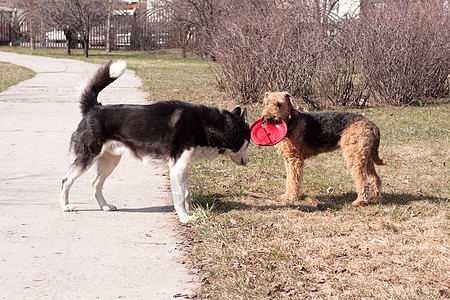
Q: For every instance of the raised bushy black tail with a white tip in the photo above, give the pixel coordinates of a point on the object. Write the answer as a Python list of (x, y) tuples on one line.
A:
[(104, 76)]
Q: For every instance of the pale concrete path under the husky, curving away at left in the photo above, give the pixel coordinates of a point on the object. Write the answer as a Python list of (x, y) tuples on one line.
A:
[(133, 253)]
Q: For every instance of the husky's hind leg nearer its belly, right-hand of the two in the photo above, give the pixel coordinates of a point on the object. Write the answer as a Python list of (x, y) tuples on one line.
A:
[(105, 165)]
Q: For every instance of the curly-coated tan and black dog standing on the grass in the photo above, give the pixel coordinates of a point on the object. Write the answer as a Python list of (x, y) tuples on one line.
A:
[(311, 134)]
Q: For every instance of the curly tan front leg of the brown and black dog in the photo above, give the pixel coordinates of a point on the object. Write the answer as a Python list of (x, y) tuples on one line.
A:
[(294, 173)]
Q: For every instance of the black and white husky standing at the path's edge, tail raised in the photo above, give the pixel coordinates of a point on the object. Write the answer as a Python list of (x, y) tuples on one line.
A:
[(174, 132)]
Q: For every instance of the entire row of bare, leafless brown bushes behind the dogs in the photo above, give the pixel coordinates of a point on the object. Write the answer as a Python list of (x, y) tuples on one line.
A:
[(391, 54)]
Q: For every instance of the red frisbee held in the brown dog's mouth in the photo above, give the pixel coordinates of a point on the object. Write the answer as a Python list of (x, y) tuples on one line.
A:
[(267, 134)]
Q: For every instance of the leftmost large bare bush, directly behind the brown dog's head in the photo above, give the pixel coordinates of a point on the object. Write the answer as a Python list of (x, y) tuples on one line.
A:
[(263, 49)]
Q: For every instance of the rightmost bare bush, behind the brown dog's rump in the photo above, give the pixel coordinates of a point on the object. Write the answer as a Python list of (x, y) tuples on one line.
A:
[(403, 51)]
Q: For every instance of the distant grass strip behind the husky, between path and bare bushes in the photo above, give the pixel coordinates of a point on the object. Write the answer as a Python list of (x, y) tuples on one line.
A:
[(164, 75)]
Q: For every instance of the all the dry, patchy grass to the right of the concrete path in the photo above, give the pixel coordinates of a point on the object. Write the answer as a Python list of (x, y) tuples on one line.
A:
[(249, 245)]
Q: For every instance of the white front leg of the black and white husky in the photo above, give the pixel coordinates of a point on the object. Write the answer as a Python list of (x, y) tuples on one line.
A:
[(178, 185)]
